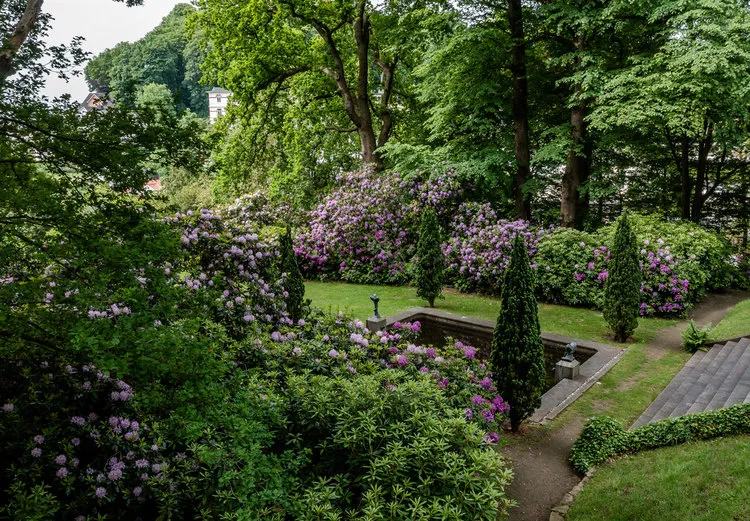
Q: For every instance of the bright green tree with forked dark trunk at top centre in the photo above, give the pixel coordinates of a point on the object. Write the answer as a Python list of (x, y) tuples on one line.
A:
[(344, 58)]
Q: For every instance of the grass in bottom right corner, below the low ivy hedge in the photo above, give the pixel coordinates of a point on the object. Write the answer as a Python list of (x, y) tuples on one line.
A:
[(700, 481)]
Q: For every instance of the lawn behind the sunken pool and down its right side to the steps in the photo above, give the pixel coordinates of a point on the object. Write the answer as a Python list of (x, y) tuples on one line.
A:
[(623, 393)]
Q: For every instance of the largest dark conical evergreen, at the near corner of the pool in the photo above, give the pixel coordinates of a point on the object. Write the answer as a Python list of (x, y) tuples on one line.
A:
[(517, 350)]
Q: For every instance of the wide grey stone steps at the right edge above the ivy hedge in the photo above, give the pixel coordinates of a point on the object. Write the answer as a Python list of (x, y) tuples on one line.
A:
[(711, 380)]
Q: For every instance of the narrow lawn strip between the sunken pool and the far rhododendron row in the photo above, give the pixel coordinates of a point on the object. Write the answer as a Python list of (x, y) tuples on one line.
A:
[(584, 324)]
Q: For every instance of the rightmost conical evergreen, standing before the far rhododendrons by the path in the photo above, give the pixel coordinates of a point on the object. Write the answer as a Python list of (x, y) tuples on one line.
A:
[(622, 293)]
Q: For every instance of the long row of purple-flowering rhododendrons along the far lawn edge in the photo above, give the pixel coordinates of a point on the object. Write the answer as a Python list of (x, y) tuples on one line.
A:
[(365, 231)]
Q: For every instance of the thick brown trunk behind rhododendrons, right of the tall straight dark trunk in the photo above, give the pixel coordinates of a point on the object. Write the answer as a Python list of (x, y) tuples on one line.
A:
[(574, 206)]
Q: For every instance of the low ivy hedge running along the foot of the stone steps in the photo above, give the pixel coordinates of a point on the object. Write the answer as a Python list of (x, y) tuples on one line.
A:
[(603, 438)]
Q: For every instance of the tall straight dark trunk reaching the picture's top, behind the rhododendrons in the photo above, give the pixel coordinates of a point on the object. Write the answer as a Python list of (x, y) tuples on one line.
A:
[(520, 110)]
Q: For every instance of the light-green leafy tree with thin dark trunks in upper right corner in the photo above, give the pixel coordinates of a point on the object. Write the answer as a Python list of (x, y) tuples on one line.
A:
[(688, 92)]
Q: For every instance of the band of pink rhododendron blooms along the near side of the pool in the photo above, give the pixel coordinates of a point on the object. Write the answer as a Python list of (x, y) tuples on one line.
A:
[(341, 347)]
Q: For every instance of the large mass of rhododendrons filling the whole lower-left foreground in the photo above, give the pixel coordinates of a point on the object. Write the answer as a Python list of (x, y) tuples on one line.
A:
[(159, 374)]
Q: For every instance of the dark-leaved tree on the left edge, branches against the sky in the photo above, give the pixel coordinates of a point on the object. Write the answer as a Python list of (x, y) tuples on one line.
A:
[(65, 176)]
